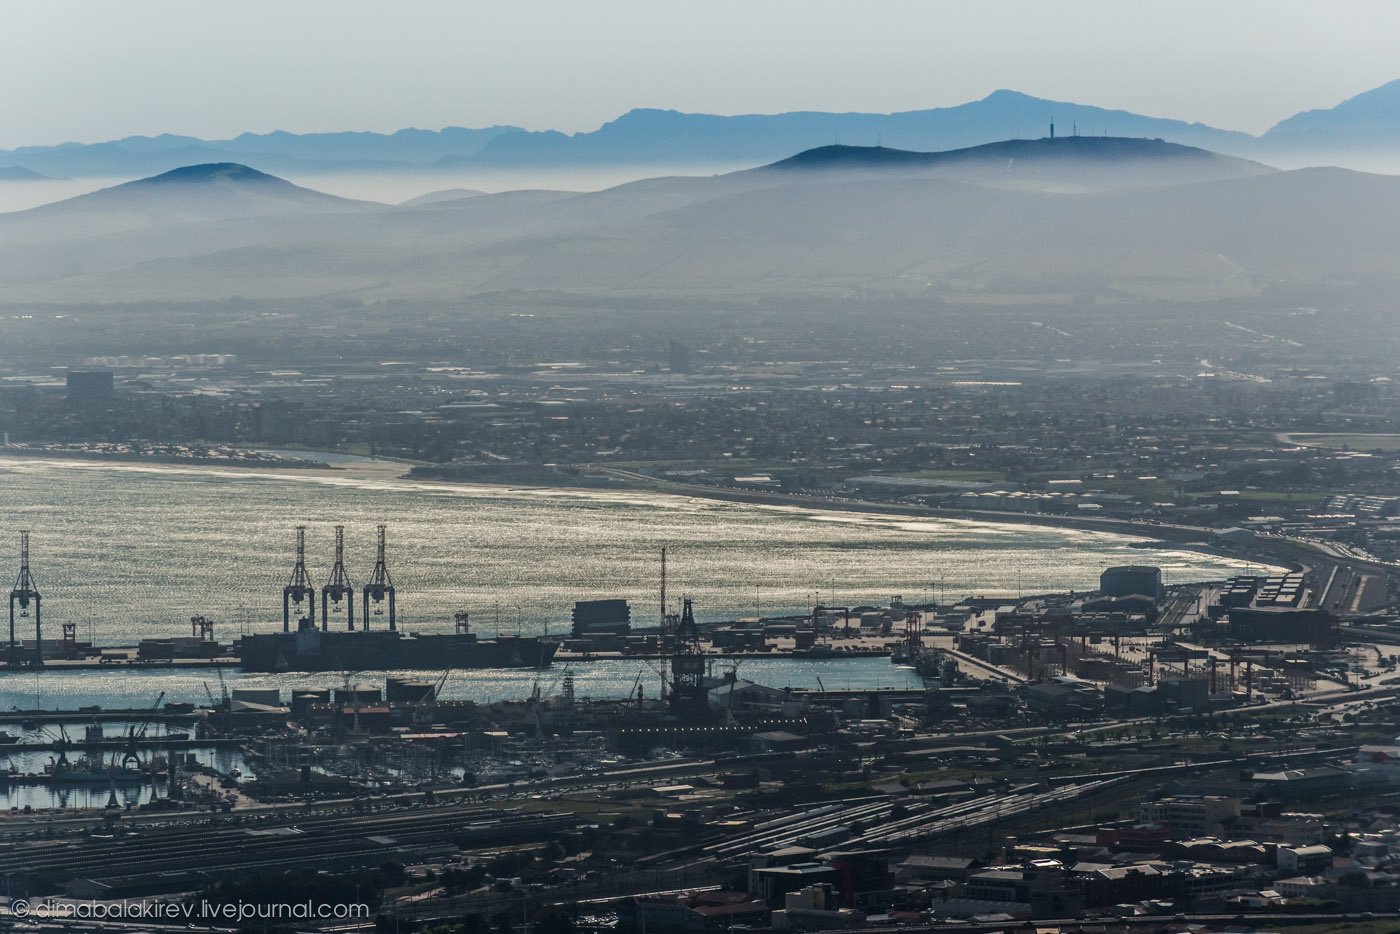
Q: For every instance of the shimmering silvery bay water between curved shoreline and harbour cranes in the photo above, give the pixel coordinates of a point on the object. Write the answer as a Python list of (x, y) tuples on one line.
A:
[(129, 551)]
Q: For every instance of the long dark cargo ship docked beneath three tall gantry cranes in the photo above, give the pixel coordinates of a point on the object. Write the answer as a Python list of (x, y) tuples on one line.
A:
[(311, 649)]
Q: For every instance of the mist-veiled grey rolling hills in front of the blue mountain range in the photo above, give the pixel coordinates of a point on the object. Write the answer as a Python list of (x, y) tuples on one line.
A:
[(1077, 219)]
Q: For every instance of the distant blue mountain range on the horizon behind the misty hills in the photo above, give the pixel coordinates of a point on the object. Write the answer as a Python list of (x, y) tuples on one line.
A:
[(656, 138)]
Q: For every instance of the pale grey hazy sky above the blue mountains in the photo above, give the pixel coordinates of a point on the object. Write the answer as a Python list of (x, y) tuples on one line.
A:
[(104, 69)]
